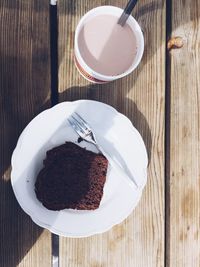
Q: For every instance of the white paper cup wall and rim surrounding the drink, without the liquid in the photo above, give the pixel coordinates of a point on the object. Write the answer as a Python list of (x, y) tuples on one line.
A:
[(86, 71)]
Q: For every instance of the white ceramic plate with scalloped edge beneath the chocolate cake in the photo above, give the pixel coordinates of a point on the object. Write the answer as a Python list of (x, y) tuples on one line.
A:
[(114, 133)]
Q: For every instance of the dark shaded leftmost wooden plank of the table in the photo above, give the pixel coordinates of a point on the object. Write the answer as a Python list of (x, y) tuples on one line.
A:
[(24, 92)]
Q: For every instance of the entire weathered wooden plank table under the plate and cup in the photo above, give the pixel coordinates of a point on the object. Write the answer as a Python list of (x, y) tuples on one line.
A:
[(162, 100)]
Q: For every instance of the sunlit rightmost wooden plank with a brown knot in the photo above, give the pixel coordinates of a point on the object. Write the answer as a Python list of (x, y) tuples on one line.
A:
[(184, 224)]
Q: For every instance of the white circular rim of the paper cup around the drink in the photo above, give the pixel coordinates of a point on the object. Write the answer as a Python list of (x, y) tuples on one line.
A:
[(140, 51)]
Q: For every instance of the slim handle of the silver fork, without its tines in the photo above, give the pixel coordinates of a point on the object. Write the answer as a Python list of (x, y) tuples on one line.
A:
[(116, 166)]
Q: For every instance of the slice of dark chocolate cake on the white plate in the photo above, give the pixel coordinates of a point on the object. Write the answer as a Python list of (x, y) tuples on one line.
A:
[(72, 177)]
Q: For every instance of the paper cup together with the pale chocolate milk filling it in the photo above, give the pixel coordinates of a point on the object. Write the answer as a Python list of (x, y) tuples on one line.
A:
[(104, 50)]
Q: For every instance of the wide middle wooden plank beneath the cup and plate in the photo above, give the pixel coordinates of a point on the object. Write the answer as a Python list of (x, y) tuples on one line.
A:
[(139, 240)]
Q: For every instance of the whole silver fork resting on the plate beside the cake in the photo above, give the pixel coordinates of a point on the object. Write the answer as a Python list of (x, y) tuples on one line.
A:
[(83, 129)]
